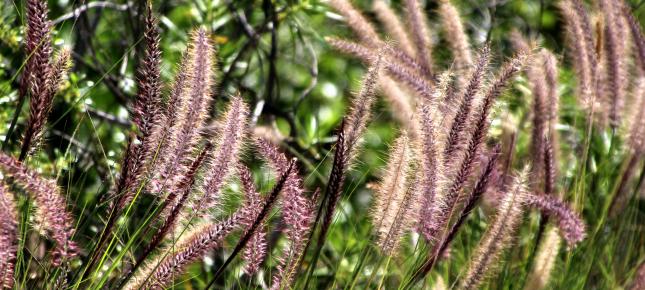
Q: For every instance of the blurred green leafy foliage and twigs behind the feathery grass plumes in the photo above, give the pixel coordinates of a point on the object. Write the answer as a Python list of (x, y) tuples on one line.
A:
[(274, 54)]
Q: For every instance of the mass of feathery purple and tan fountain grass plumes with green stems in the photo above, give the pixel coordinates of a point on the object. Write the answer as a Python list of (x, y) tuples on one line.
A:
[(444, 161)]
